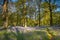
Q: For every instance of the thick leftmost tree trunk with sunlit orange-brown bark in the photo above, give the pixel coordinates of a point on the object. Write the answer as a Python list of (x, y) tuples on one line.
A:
[(5, 13)]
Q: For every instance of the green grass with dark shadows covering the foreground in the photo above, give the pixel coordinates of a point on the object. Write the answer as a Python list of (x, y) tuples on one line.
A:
[(35, 35)]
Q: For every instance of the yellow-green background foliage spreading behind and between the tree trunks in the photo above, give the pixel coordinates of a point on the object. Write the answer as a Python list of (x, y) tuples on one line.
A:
[(28, 13)]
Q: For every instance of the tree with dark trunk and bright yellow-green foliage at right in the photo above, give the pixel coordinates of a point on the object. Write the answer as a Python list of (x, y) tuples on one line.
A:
[(47, 12)]
